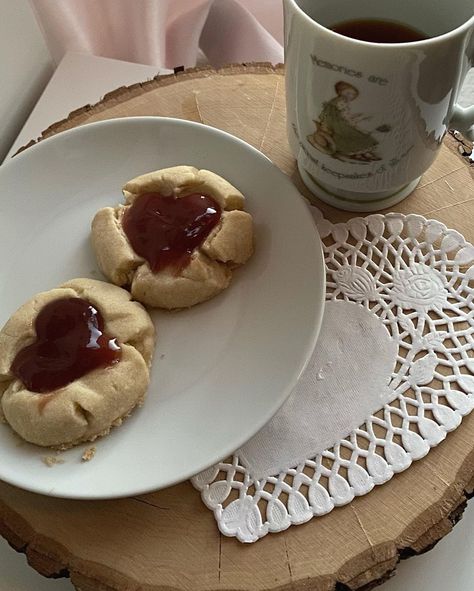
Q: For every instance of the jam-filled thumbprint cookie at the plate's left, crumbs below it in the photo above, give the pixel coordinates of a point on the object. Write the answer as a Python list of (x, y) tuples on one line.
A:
[(63, 380)]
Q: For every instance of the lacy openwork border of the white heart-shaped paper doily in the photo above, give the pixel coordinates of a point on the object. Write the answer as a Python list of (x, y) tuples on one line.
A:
[(416, 277)]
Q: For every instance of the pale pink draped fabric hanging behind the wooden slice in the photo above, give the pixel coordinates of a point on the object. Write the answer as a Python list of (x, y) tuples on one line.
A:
[(165, 33)]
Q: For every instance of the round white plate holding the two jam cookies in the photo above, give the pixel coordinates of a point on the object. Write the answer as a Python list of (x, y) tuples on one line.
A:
[(221, 369)]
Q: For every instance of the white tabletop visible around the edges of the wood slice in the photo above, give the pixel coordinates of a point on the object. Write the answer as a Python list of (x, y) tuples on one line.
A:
[(82, 79)]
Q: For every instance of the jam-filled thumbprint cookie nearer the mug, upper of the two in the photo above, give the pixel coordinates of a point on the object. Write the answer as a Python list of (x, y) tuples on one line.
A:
[(177, 239)]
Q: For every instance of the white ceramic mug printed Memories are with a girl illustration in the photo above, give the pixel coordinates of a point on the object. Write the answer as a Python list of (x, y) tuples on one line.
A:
[(366, 120)]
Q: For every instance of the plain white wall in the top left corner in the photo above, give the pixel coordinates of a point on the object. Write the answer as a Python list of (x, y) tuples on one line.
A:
[(25, 67)]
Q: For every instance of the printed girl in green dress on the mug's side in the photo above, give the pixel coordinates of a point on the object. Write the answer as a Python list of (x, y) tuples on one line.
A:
[(337, 132)]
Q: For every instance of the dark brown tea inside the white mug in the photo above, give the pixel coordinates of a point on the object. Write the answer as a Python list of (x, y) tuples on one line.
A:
[(378, 31)]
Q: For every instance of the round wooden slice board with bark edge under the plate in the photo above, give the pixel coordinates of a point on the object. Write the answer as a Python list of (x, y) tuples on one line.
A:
[(168, 539)]
